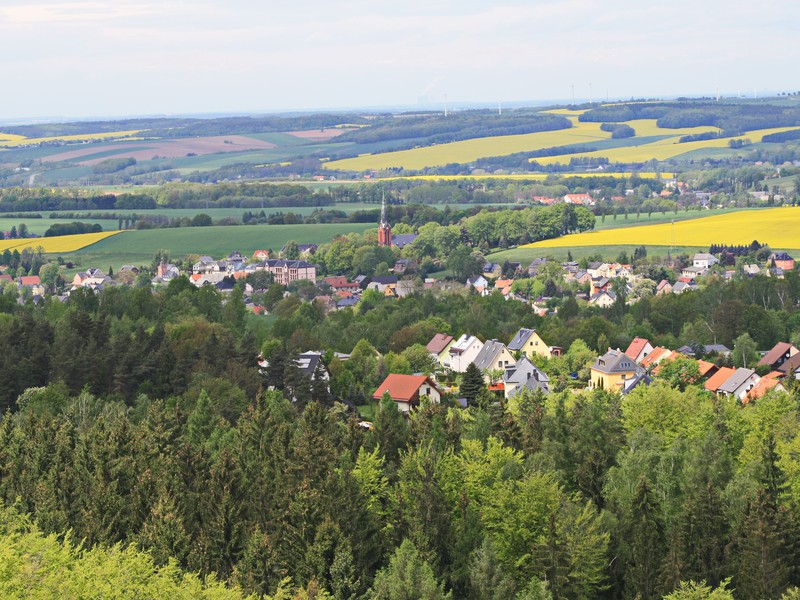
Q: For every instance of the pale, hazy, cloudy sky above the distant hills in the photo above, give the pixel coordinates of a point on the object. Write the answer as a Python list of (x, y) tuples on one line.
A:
[(83, 59)]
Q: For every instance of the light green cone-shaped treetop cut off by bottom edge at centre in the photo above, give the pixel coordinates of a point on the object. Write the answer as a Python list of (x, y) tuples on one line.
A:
[(408, 577)]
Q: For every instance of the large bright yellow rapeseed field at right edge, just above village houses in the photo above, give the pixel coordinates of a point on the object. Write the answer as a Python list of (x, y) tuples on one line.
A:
[(777, 227)]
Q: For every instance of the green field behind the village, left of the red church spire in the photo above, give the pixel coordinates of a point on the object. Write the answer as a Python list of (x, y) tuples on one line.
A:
[(138, 247)]
